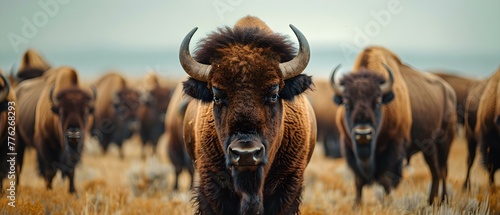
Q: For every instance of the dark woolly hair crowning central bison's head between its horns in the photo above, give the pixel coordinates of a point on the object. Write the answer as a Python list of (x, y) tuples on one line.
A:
[(210, 47)]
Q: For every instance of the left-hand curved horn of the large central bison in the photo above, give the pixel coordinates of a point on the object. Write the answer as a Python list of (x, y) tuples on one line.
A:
[(194, 69)]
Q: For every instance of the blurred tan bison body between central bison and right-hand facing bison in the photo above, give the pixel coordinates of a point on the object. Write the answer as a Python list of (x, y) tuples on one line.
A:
[(328, 133)]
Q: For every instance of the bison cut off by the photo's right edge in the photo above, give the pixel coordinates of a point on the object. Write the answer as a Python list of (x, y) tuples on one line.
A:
[(485, 124)]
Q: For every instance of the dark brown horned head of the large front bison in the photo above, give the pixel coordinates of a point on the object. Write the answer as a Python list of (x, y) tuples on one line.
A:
[(245, 73)]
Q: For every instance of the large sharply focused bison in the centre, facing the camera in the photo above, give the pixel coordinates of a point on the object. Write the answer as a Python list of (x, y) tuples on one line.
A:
[(254, 130)]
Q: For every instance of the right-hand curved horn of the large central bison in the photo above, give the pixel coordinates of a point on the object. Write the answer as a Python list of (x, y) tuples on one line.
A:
[(295, 66)]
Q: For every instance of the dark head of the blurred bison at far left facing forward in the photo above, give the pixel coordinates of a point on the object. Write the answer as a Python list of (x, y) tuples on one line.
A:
[(73, 107)]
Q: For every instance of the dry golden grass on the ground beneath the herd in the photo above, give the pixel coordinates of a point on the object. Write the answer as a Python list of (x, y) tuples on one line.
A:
[(108, 185)]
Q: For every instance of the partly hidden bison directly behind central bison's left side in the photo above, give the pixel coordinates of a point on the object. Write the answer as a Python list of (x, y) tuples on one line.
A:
[(176, 148)]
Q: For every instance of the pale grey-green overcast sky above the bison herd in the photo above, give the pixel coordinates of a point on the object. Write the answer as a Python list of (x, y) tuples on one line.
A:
[(445, 26)]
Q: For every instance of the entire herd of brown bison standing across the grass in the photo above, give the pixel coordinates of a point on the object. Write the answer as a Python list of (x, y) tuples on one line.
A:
[(247, 124)]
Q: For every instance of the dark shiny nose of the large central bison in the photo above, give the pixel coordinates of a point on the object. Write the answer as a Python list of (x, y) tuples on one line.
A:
[(246, 156)]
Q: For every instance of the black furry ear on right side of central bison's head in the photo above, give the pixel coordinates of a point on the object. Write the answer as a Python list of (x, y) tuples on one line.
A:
[(295, 86)]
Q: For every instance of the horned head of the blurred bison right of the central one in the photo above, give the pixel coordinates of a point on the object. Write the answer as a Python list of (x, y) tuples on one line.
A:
[(363, 94)]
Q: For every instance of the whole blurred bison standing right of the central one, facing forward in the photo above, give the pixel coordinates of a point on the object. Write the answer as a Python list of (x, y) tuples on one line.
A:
[(391, 110)]
